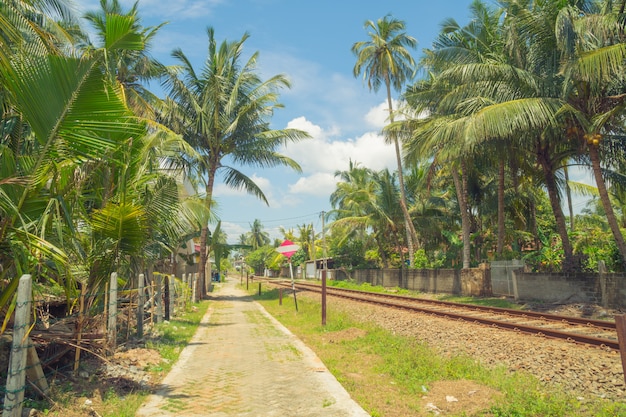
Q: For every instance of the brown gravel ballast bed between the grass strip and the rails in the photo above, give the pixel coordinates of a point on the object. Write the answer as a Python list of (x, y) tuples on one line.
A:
[(586, 372)]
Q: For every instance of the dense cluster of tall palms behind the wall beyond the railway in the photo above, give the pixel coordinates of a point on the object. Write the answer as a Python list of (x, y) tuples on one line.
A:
[(503, 107)]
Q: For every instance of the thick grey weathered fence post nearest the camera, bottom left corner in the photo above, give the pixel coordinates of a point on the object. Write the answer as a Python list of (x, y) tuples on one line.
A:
[(16, 374)]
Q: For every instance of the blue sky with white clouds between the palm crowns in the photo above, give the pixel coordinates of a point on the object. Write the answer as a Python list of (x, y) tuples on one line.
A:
[(310, 43)]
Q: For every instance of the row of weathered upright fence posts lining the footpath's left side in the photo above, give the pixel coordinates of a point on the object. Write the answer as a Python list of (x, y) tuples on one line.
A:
[(157, 299)]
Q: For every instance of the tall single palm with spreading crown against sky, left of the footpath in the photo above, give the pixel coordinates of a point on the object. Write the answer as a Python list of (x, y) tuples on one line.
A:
[(223, 113)]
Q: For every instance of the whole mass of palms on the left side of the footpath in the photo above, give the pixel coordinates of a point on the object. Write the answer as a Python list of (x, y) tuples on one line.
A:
[(98, 174)]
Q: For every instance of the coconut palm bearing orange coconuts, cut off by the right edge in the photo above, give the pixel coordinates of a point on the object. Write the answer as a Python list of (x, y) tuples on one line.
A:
[(595, 50)]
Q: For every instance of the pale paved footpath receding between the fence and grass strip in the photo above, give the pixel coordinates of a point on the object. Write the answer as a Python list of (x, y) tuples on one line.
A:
[(242, 362)]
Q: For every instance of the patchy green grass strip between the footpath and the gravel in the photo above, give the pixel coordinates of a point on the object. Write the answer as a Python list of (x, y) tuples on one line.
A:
[(388, 374)]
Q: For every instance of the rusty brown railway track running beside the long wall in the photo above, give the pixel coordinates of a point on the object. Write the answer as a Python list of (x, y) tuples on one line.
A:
[(584, 331)]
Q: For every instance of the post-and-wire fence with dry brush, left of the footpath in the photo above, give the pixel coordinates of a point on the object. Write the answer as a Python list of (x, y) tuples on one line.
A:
[(102, 319)]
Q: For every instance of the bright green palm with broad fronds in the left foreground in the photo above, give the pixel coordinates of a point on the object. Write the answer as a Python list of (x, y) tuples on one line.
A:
[(73, 119)]
